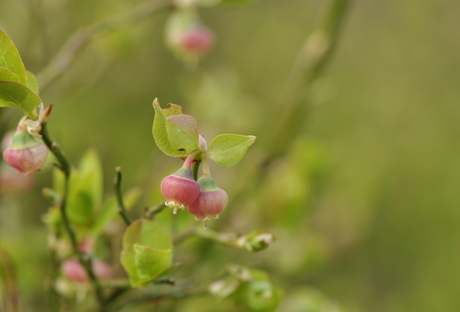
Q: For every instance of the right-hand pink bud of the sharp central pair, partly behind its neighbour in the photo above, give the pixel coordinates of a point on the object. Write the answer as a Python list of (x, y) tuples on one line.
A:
[(211, 201)]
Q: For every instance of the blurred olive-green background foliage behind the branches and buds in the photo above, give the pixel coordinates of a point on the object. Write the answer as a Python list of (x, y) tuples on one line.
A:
[(364, 205)]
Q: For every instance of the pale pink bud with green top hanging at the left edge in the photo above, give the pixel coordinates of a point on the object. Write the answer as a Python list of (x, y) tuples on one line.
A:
[(26, 153)]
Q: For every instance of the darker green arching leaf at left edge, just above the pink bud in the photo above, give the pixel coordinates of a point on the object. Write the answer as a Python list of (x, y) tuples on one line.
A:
[(14, 94)]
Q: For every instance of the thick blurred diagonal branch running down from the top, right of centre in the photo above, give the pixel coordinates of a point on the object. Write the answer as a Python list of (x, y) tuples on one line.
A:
[(307, 67)]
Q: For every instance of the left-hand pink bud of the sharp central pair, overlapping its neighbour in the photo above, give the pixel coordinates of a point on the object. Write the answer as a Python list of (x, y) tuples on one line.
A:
[(180, 189)]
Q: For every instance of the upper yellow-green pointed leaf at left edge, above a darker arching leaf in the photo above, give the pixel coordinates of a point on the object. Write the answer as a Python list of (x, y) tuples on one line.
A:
[(10, 58)]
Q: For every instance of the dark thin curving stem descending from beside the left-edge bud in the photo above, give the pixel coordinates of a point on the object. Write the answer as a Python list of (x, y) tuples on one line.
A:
[(64, 166)]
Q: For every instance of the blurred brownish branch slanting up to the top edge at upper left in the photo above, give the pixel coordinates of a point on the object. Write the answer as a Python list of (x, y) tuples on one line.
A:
[(61, 62)]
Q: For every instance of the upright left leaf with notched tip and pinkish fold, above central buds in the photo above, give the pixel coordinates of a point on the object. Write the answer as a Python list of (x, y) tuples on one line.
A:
[(175, 134)]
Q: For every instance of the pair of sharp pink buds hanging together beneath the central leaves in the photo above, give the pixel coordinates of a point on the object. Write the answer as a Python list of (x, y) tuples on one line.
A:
[(203, 198)]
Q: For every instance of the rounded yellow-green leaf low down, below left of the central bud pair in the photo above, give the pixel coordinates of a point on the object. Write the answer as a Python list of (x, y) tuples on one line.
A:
[(147, 252)]
